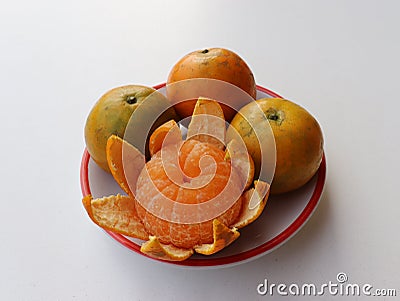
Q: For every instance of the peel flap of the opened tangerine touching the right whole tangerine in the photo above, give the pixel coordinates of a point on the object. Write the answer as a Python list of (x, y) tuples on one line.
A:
[(237, 153)]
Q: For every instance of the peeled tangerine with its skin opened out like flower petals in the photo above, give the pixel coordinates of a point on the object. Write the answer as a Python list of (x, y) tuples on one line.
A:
[(191, 196)]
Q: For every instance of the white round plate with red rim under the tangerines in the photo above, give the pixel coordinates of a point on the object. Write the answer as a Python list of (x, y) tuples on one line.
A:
[(283, 216)]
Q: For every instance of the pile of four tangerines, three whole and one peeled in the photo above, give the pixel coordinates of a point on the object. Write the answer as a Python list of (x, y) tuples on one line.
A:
[(191, 162)]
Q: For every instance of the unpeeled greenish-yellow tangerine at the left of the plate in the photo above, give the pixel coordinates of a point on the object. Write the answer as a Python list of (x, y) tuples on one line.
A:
[(113, 113)]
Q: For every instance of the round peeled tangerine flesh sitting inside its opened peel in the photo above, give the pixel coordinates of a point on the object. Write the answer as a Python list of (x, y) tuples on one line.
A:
[(154, 184)]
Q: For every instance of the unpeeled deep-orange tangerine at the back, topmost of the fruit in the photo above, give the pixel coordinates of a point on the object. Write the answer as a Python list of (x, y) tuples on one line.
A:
[(215, 63)]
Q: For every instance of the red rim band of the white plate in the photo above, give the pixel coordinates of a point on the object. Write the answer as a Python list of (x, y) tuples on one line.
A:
[(240, 257)]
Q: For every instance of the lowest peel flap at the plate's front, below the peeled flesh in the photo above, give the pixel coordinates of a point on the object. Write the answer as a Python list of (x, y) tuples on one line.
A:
[(155, 249)]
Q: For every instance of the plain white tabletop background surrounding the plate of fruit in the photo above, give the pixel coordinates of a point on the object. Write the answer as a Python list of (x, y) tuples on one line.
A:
[(339, 59)]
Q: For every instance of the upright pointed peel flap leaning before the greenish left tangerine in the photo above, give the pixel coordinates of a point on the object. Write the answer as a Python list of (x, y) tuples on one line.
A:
[(125, 162)]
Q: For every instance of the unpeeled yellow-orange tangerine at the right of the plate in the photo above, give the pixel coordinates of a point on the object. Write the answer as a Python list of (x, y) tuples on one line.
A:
[(298, 140)]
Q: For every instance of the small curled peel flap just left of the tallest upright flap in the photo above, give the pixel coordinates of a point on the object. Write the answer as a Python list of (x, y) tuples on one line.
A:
[(160, 138)]
